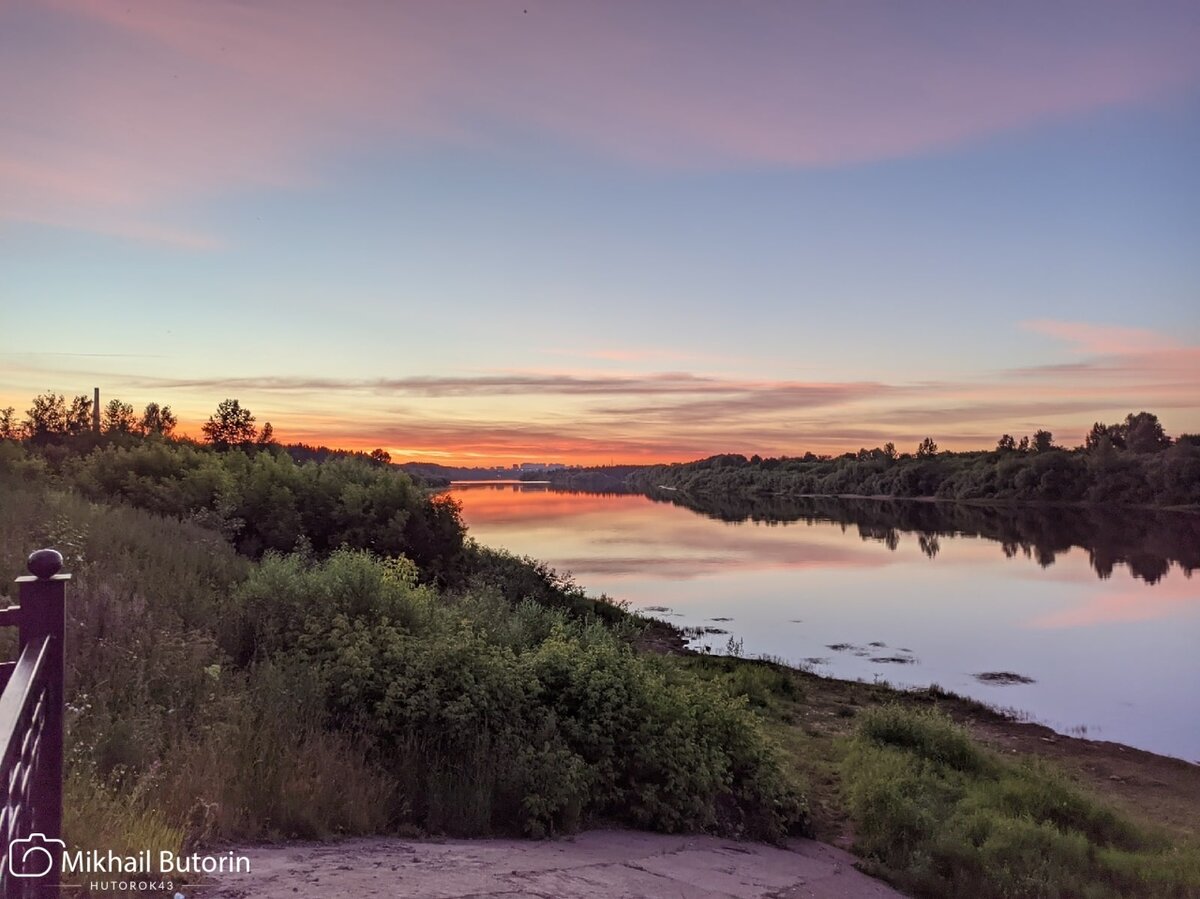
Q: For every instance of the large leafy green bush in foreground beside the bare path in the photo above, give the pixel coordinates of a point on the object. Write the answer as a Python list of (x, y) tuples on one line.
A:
[(548, 720)]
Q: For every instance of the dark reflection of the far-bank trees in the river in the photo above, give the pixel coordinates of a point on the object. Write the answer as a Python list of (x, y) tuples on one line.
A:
[(1148, 542)]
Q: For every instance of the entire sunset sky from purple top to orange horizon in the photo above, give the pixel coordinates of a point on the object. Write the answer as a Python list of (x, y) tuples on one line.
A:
[(607, 231)]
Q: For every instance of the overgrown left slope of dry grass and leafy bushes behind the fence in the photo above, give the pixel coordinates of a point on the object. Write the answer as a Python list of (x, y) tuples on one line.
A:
[(214, 697)]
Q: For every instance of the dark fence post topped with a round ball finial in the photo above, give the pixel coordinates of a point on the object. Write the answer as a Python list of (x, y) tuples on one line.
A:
[(44, 615)]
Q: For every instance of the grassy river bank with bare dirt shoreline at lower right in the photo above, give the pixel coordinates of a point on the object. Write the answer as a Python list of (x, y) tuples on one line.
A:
[(946, 798)]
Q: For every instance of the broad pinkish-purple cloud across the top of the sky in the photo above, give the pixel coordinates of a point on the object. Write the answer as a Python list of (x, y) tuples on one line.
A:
[(121, 117)]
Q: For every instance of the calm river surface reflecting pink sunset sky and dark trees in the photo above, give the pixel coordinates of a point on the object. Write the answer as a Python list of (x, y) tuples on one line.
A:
[(1101, 613)]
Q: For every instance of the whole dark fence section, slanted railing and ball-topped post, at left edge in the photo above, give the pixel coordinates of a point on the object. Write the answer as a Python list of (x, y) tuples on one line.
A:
[(32, 734)]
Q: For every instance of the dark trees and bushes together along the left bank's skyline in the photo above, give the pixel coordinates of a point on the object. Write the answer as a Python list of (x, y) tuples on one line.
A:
[(238, 481)]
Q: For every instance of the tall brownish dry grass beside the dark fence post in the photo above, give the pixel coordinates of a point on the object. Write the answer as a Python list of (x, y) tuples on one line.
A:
[(170, 742)]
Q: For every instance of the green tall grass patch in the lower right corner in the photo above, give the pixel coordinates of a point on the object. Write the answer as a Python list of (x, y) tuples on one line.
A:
[(941, 817)]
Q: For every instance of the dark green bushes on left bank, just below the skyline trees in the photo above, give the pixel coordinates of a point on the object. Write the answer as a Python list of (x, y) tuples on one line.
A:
[(263, 501)]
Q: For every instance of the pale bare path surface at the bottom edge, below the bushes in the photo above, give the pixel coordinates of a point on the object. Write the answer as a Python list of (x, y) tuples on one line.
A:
[(599, 865)]
